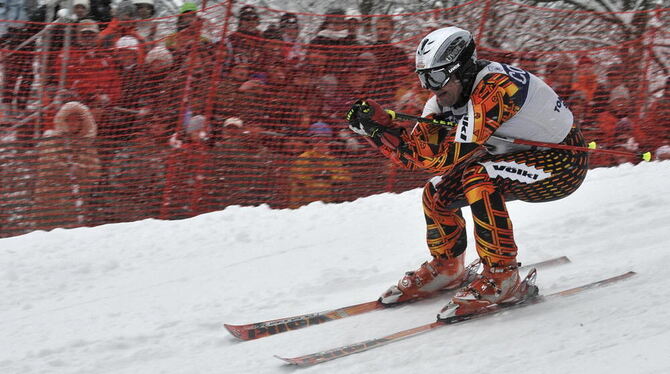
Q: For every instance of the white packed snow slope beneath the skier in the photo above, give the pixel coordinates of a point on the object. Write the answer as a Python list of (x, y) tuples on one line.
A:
[(151, 297)]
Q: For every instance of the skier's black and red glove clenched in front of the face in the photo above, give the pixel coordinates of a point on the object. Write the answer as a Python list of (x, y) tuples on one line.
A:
[(366, 117)]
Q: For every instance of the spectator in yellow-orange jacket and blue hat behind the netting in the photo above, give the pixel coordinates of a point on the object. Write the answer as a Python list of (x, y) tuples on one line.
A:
[(316, 174)]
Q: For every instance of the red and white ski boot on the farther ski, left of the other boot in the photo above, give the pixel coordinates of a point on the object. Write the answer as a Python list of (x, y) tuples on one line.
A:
[(431, 277)]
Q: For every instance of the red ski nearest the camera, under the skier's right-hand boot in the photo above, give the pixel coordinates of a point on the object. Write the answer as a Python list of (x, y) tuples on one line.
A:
[(349, 349)]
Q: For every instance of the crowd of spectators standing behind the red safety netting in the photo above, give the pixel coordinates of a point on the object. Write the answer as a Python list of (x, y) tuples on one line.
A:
[(147, 120)]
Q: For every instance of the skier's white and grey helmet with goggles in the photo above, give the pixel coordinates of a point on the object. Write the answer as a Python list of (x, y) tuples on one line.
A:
[(442, 54)]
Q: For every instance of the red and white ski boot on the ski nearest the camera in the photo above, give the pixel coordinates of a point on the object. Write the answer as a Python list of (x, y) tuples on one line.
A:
[(494, 286)]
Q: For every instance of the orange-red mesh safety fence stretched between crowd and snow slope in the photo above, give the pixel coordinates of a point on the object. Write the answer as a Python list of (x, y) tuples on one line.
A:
[(177, 116)]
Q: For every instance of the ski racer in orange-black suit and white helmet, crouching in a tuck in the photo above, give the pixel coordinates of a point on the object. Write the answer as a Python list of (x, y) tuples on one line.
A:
[(487, 101)]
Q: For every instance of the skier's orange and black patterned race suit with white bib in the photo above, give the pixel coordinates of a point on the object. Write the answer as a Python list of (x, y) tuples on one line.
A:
[(474, 166)]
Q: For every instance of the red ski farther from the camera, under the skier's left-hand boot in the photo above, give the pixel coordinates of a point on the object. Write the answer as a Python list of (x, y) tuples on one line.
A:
[(263, 329)]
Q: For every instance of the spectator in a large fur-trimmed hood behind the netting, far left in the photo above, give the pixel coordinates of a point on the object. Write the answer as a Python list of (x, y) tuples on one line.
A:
[(68, 168)]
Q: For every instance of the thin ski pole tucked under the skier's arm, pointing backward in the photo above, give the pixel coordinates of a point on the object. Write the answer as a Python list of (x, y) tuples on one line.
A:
[(592, 146)]
